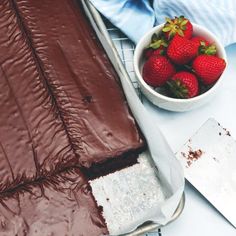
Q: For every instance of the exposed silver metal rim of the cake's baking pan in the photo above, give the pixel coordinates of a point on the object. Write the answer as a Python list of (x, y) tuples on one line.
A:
[(104, 37)]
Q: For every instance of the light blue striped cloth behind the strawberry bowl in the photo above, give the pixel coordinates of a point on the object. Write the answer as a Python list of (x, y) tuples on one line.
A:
[(136, 17)]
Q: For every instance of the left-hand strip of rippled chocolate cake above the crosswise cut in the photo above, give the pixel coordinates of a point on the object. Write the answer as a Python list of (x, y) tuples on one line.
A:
[(33, 141)]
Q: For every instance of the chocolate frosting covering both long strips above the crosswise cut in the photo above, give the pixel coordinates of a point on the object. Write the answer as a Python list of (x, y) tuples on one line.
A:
[(61, 103)]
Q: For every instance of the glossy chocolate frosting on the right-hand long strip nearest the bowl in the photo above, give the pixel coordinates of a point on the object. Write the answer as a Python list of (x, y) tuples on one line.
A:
[(90, 100)]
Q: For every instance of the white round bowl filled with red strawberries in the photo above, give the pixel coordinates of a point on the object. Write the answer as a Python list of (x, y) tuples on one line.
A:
[(179, 65)]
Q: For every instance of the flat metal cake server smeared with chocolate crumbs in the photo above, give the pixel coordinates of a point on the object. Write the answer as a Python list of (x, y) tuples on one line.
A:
[(209, 161)]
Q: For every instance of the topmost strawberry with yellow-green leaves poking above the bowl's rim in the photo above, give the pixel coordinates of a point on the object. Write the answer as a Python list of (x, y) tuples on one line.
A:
[(178, 25)]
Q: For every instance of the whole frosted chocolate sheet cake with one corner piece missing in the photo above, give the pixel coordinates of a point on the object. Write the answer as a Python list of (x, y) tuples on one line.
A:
[(62, 112)]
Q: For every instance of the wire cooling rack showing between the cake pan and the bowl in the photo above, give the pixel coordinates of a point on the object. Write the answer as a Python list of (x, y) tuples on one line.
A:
[(125, 48)]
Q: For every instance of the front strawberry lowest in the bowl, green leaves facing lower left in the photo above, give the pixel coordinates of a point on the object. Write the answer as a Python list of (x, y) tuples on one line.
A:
[(184, 85)]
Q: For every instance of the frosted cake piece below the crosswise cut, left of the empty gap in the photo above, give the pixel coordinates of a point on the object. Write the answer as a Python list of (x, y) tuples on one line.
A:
[(61, 206)]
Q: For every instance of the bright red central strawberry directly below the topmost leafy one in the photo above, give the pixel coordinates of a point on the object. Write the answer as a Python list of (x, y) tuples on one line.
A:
[(181, 50)]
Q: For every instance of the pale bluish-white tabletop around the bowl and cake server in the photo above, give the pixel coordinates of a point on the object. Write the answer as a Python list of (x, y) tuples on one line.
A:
[(199, 217)]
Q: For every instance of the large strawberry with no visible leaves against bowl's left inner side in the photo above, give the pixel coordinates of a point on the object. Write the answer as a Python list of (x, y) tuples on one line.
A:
[(157, 70)]
